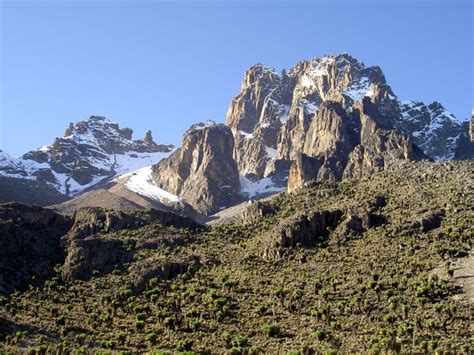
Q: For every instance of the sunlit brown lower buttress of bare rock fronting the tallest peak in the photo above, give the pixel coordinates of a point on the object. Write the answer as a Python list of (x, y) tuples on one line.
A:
[(340, 145)]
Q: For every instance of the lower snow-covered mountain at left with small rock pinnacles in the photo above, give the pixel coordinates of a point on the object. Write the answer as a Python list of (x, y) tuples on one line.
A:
[(91, 152)]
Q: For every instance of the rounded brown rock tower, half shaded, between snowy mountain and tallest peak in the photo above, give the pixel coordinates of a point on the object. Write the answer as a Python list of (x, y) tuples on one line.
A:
[(202, 171)]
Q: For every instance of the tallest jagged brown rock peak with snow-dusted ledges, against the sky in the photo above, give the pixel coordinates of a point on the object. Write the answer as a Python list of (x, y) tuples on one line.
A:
[(339, 111)]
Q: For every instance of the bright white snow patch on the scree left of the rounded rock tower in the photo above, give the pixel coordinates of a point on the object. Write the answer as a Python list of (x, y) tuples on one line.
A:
[(142, 183)]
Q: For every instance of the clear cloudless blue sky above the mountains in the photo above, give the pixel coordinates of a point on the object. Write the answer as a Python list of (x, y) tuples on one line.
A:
[(163, 66)]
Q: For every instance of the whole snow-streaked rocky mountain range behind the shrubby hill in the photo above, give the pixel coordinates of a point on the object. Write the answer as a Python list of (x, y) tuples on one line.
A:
[(329, 118)]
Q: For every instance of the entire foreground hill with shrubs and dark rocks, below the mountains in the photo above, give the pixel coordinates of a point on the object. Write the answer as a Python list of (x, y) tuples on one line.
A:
[(353, 266)]
